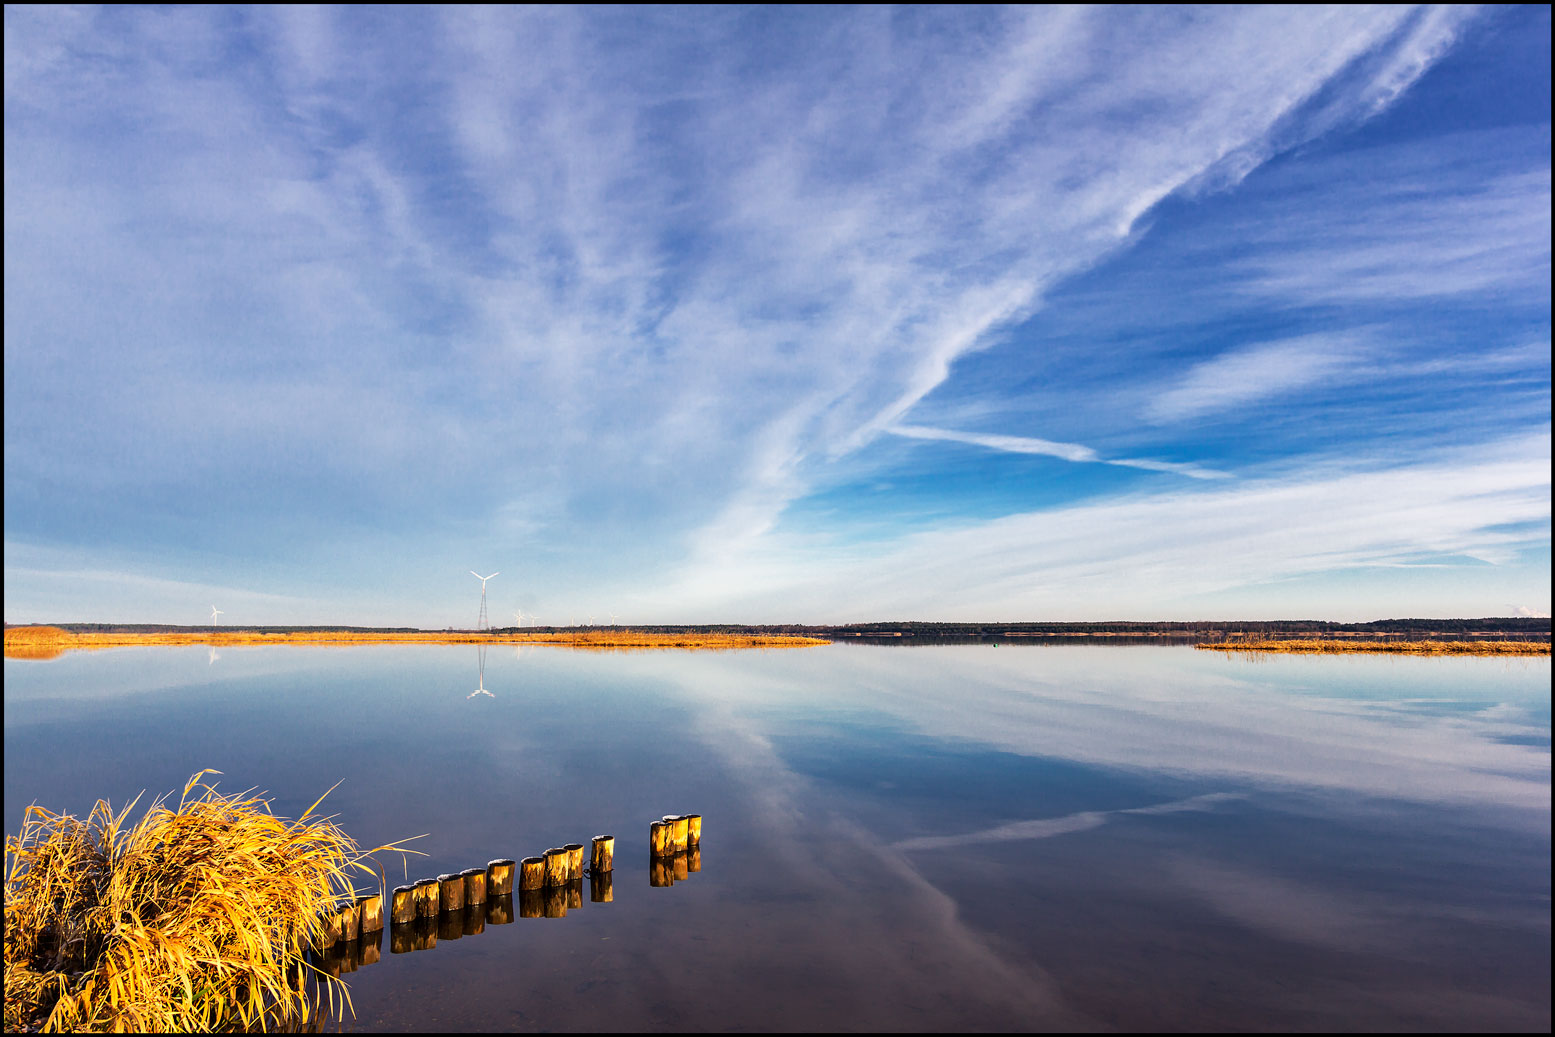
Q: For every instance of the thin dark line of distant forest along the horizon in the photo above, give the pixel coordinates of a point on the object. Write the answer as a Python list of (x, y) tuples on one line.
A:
[(1203, 630)]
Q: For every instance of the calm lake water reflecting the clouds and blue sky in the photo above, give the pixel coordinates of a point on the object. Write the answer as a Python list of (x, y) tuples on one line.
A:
[(895, 837)]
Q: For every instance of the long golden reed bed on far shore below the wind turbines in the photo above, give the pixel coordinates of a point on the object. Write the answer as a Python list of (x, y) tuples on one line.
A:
[(49, 643)]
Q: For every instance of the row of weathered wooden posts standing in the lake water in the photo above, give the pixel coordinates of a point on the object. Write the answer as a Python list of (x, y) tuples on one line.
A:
[(548, 885)]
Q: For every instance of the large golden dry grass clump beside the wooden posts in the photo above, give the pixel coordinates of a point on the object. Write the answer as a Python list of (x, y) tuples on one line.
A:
[(192, 920)]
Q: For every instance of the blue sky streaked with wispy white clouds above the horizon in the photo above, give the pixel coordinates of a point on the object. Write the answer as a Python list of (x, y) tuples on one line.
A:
[(777, 315)]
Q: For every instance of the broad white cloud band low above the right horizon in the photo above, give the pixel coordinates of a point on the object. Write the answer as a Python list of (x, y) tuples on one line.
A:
[(1162, 556)]
